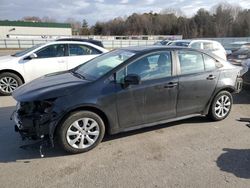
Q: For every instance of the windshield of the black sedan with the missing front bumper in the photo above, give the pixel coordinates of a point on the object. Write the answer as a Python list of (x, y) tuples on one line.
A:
[(99, 66)]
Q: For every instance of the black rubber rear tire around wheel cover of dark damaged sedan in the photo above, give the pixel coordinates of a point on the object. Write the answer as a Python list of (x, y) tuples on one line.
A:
[(212, 113)]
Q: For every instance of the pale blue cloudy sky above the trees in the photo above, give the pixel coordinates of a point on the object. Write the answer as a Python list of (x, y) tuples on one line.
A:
[(100, 10)]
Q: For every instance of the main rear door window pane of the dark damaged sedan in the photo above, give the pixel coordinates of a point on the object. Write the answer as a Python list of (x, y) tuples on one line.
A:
[(191, 62)]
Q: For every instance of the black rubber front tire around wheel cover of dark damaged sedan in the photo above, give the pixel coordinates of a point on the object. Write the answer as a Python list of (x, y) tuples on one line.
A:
[(61, 132)]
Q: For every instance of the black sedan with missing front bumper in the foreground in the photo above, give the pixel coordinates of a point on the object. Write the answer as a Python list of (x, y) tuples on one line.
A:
[(122, 90)]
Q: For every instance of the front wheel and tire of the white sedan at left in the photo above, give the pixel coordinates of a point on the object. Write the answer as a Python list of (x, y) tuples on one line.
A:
[(8, 83)]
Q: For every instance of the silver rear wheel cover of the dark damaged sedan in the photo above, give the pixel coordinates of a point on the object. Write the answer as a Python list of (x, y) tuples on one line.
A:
[(222, 106)]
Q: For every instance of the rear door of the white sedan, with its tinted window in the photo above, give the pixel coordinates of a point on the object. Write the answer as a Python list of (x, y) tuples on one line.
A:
[(80, 53)]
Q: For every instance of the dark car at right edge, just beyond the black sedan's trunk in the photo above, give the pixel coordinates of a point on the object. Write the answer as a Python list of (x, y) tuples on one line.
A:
[(240, 55)]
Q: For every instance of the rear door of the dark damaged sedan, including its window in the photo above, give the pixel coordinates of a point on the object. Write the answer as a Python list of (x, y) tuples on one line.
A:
[(198, 77)]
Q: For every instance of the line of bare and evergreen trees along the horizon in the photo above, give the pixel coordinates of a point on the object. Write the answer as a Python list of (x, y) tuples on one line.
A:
[(223, 20)]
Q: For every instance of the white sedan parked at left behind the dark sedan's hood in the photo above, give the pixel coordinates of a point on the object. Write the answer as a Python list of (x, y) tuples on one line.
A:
[(42, 59)]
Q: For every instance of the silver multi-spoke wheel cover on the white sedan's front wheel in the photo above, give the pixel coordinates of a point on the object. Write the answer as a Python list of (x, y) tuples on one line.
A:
[(8, 84)]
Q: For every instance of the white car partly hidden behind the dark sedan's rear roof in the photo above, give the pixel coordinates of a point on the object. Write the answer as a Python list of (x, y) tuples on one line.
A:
[(207, 45)]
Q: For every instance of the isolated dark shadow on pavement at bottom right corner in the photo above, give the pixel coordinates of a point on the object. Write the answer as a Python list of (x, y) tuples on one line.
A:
[(235, 161)]
